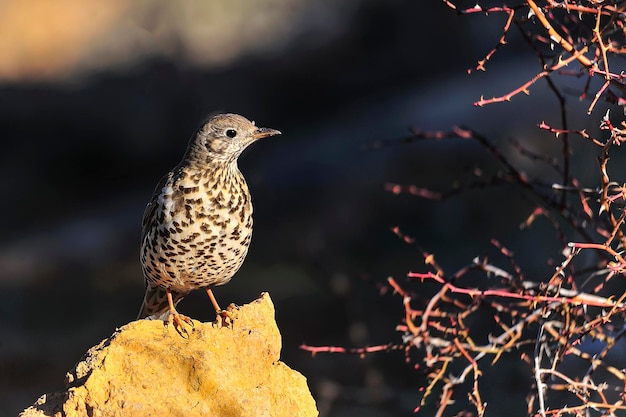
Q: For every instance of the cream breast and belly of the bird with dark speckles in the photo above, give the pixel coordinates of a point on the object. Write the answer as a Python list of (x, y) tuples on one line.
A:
[(201, 232)]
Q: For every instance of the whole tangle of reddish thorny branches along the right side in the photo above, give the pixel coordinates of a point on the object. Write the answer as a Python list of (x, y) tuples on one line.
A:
[(576, 315)]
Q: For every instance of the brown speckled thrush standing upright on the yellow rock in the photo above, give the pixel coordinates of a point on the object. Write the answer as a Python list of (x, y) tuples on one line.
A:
[(197, 227)]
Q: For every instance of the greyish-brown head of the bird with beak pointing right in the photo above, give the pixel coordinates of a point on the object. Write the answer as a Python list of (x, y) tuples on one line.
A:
[(224, 137)]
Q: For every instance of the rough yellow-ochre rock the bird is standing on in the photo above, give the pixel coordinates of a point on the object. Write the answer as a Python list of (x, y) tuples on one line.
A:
[(147, 369)]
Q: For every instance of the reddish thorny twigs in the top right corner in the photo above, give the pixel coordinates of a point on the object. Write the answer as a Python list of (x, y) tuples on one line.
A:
[(555, 25)]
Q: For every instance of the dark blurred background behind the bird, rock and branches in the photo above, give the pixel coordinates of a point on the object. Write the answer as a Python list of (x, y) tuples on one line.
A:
[(98, 100)]
